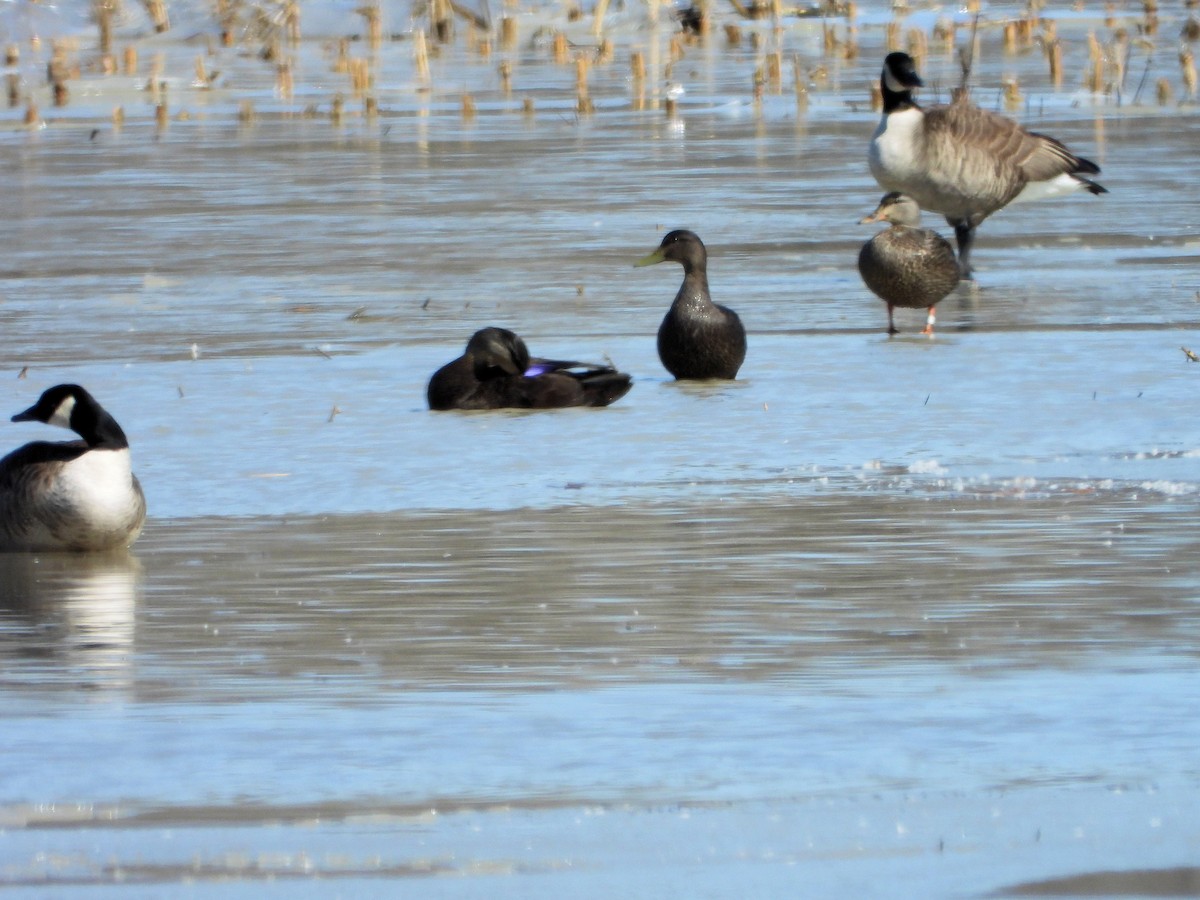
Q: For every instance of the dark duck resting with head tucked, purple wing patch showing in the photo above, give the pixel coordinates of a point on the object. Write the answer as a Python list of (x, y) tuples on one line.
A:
[(496, 373)]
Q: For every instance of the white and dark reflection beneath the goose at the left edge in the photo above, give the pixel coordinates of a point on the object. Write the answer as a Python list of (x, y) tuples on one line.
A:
[(69, 620)]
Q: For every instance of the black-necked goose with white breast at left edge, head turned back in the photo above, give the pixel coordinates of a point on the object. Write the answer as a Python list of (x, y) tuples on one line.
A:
[(76, 495)]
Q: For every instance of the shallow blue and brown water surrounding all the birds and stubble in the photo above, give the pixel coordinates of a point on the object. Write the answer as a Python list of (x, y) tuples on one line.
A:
[(896, 617)]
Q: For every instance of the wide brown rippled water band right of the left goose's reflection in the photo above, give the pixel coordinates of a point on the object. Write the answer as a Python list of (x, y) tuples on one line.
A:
[(766, 591)]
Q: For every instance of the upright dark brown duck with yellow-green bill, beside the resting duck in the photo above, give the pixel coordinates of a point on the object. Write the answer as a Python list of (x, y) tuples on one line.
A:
[(698, 338)]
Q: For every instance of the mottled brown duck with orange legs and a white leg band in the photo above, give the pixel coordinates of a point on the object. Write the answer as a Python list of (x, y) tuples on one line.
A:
[(907, 266)]
